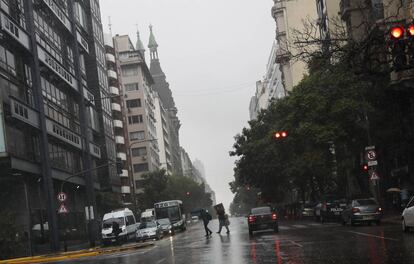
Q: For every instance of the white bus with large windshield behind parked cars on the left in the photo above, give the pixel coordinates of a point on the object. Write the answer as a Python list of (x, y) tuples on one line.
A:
[(172, 210)]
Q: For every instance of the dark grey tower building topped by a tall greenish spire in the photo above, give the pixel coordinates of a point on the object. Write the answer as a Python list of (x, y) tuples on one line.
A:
[(162, 87)]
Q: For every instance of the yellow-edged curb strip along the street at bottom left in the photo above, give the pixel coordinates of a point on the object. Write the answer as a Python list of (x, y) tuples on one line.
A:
[(77, 254)]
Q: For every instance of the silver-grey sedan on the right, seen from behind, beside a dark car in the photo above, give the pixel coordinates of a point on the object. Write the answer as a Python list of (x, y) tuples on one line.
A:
[(362, 210)]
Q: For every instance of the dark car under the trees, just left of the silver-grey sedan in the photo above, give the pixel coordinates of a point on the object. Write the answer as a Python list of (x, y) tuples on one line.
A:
[(329, 209)]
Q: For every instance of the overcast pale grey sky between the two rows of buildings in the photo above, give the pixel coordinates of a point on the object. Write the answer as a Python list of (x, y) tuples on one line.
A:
[(213, 52)]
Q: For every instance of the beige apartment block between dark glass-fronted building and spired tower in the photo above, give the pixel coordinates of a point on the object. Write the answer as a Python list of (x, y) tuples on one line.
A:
[(139, 99)]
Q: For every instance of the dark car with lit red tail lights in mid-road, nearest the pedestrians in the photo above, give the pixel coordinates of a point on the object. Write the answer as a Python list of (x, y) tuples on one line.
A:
[(262, 218)]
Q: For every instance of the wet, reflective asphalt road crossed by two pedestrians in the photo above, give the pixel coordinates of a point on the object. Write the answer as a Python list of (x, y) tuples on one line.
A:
[(296, 242)]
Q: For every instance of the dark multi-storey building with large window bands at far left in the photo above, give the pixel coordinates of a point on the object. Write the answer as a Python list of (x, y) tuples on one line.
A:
[(56, 121)]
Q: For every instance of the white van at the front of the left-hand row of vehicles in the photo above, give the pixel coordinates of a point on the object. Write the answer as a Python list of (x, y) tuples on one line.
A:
[(126, 221)]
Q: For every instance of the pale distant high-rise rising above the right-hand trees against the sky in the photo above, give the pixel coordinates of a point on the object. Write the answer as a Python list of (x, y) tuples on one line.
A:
[(269, 88)]
